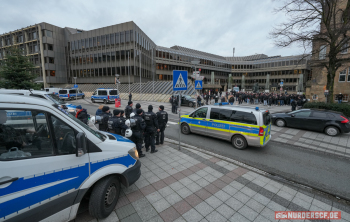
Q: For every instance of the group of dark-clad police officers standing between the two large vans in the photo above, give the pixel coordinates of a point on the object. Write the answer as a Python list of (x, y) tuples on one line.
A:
[(146, 127)]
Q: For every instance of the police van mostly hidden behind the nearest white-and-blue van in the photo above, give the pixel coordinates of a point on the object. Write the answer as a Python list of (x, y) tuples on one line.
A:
[(41, 94)]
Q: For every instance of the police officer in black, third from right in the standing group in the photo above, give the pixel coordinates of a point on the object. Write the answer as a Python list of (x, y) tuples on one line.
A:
[(137, 131)]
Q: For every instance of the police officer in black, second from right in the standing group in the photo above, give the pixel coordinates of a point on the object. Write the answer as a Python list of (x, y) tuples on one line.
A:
[(151, 128)]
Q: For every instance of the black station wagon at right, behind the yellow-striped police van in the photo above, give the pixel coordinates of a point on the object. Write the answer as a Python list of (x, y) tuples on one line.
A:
[(330, 122)]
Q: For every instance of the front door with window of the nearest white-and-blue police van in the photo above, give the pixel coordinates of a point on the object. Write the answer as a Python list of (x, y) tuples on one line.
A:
[(40, 173)]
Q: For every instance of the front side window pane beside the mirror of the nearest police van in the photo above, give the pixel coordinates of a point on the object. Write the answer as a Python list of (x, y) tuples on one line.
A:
[(64, 136)]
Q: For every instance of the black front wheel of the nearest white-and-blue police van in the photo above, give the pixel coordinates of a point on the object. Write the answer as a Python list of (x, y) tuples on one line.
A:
[(104, 197)]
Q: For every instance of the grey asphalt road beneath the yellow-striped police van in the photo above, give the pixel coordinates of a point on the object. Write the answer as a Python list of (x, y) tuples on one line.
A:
[(324, 172)]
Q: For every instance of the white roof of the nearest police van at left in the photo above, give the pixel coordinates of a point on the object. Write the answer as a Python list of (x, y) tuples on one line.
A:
[(19, 99)]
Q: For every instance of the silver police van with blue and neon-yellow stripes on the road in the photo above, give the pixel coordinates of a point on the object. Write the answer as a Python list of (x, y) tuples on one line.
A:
[(242, 126)]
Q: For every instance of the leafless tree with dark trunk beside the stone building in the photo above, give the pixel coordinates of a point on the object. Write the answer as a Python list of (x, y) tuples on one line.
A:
[(321, 27)]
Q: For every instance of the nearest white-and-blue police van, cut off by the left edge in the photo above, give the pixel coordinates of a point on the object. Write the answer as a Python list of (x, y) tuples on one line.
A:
[(50, 161)]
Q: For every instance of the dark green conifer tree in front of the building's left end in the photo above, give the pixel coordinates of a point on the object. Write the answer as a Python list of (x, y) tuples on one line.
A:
[(16, 70)]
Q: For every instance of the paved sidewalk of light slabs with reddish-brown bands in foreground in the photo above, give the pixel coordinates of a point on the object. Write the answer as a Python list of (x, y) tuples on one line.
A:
[(195, 185)]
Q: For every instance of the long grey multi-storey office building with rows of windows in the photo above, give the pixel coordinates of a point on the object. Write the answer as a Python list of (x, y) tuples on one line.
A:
[(95, 56)]
